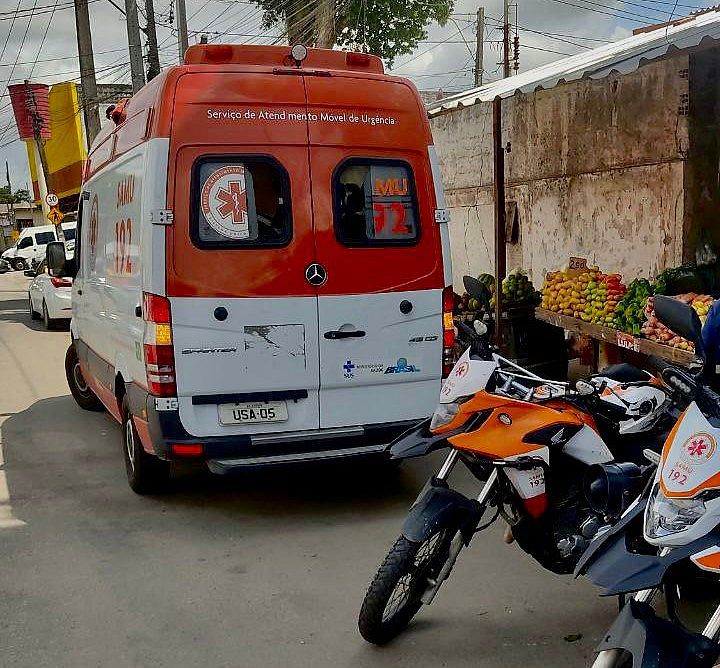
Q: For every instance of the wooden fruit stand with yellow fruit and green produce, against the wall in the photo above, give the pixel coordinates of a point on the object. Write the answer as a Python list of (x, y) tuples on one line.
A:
[(619, 317)]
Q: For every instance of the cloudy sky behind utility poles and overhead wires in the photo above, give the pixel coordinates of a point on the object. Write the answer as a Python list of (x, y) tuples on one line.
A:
[(40, 44)]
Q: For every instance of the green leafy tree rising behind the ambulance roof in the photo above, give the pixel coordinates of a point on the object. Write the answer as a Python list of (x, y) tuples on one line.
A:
[(386, 28)]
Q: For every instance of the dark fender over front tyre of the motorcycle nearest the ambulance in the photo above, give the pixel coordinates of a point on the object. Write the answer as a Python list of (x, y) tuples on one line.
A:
[(440, 507)]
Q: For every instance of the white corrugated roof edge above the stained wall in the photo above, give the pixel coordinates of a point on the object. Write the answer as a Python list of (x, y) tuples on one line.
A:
[(623, 56)]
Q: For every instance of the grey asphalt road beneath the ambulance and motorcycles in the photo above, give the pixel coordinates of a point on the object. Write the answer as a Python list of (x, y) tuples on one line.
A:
[(262, 570)]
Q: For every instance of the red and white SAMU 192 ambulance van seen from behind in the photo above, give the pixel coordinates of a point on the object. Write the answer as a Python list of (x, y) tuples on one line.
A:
[(262, 270)]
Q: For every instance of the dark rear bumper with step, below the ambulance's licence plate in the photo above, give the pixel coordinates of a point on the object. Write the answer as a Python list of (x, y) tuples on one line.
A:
[(225, 454)]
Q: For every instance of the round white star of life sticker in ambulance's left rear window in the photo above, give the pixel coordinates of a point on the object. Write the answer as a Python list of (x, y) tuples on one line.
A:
[(224, 202)]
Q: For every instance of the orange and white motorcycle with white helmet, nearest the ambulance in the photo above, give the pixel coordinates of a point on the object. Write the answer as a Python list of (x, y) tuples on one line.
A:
[(529, 441)]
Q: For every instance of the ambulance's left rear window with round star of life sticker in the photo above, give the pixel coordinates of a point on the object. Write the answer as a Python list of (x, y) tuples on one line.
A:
[(240, 202)]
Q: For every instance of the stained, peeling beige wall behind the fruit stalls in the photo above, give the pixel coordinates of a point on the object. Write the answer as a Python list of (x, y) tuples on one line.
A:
[(596, 168)]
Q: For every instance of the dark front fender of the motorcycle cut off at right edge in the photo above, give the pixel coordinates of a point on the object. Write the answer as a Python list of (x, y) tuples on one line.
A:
[(657, 643)]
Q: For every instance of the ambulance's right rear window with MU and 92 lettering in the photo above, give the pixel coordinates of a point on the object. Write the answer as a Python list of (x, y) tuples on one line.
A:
[(375, 203)]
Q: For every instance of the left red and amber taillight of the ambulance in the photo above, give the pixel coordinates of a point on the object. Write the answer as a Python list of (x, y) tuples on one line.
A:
[(159, 356)]
